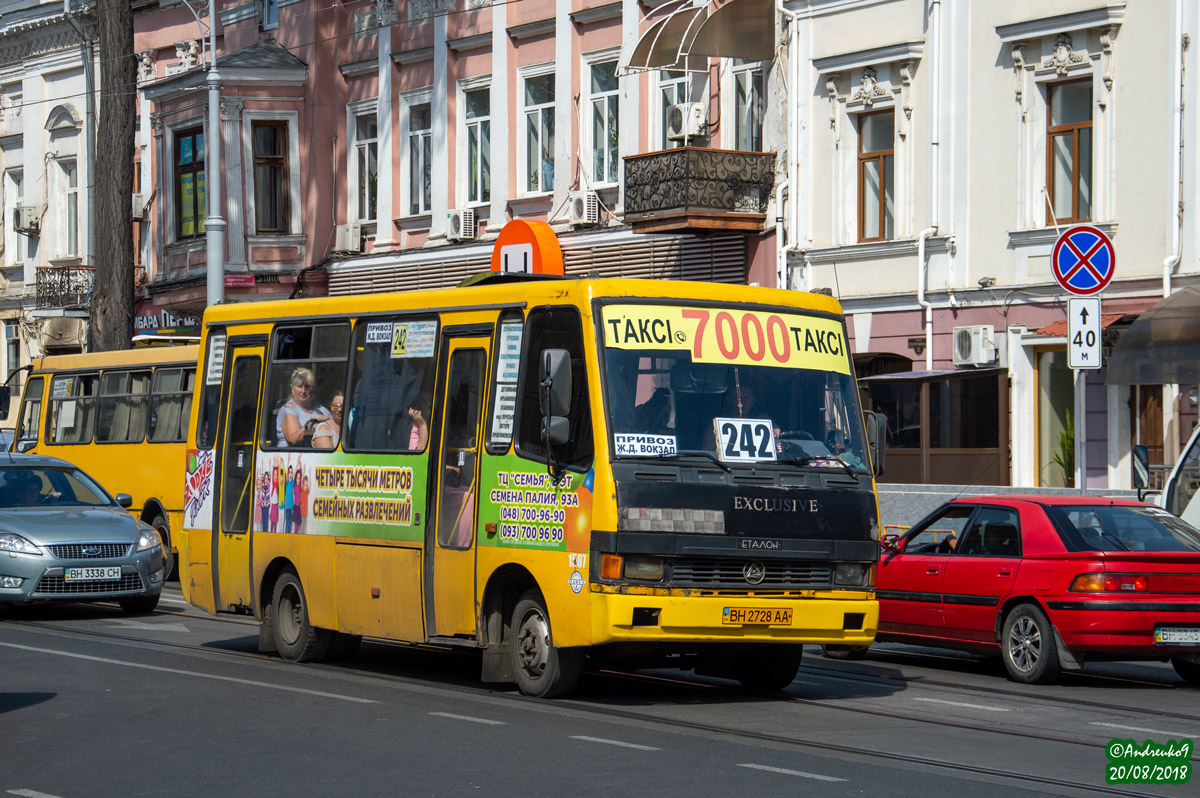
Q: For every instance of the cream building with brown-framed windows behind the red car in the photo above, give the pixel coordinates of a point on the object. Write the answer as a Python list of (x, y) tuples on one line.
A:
[(938, 152)]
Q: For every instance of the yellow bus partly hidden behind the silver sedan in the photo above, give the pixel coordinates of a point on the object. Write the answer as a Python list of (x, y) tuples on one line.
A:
[(123, 418)]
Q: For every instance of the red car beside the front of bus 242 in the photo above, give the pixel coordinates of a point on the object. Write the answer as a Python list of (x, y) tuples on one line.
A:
[(1052, 581)]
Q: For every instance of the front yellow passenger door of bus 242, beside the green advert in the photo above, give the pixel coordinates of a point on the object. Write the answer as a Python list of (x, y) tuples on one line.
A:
[(451, 538)]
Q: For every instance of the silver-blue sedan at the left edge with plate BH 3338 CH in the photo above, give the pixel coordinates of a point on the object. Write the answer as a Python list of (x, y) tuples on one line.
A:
[(63, 538)]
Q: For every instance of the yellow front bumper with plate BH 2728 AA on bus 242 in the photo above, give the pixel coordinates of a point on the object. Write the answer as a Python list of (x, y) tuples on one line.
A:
[(820, 620)]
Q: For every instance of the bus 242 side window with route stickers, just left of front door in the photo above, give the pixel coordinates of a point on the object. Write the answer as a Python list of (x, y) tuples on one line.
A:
[(391, 404)]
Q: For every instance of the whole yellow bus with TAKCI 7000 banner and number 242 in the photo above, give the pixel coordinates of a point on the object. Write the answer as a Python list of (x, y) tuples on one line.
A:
[(543, 470)]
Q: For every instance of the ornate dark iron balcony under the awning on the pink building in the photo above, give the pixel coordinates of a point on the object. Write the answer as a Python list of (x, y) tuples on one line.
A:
[(699, 189)]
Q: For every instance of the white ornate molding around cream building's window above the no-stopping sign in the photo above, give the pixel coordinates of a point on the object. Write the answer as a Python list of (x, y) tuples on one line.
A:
[(1047, 51)]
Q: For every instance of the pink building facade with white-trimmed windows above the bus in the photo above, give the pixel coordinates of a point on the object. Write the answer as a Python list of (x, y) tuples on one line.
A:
[(379, 147)]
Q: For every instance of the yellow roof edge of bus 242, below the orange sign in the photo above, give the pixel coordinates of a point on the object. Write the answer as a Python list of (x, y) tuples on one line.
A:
[(527, 292)]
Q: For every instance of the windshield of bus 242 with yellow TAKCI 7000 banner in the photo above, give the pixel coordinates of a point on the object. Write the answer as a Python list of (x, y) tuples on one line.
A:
[(736, 386)]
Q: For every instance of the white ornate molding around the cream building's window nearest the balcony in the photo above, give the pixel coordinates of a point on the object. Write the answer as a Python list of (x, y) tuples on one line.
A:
[(863, 82)]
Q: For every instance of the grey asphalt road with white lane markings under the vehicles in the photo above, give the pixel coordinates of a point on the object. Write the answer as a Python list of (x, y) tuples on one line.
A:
[(97, 704)]
